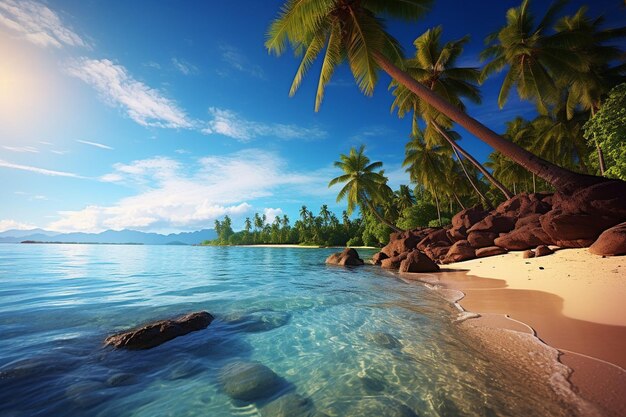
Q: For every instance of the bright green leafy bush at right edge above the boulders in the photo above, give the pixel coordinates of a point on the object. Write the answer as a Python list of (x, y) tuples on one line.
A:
[(608, 129)]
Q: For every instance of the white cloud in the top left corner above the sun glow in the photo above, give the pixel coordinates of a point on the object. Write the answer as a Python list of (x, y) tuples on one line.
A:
[(37, 24)]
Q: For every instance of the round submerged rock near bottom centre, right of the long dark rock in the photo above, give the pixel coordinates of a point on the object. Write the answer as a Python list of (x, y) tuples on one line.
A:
[(248, 381)]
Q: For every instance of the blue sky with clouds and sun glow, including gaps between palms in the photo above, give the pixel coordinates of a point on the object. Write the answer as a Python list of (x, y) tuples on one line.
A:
[(164, 116)]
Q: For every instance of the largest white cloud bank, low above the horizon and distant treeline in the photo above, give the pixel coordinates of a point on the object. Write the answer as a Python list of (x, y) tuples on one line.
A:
[(171, 195)]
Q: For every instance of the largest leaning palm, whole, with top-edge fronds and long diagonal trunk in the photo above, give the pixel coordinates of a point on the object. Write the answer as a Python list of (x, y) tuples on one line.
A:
[(351, 30)]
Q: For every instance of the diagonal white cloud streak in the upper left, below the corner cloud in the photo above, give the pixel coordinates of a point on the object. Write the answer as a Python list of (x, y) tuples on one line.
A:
[(118, 88)]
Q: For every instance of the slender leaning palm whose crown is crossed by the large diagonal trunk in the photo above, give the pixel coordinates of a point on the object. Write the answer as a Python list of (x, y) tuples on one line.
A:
[(434, 66)]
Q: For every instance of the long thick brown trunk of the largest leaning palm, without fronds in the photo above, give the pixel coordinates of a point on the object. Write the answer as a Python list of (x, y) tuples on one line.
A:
[(562, 179)]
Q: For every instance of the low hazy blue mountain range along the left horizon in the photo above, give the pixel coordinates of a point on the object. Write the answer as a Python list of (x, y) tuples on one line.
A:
[(109, 236)]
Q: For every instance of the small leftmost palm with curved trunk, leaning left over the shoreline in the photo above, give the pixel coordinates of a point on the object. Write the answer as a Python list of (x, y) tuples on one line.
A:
[(363, 185)]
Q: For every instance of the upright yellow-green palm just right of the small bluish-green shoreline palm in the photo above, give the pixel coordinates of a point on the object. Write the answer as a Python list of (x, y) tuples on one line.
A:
[(427, 165)]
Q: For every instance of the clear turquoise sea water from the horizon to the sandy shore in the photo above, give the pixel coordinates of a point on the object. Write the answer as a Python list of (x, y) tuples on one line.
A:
[(354, 342)]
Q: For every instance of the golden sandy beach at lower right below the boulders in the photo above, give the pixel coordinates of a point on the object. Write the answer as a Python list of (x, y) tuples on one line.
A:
[(571, 300)]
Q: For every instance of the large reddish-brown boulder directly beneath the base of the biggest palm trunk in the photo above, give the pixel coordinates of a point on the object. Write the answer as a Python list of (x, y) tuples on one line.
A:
[(574, 230)]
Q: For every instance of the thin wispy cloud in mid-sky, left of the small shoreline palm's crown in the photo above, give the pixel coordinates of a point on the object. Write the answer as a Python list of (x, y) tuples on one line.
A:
[(228, 123)]
